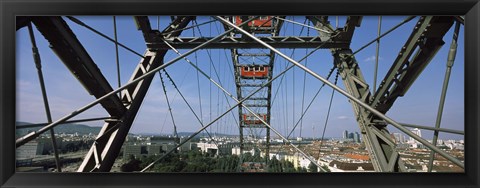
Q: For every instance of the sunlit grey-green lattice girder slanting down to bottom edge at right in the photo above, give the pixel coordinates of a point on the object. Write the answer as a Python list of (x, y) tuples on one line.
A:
[(380, 146)]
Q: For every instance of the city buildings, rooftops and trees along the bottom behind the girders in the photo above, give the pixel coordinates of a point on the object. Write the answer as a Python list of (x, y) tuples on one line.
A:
[(73, 146)]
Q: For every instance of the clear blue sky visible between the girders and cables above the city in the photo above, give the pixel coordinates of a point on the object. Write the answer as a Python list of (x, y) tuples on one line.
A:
[(66, 94)]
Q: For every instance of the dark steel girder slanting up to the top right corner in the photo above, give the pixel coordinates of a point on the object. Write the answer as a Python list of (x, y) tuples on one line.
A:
[(425, 41)]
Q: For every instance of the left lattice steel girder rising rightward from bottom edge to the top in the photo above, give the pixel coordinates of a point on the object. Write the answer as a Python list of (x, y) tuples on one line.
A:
[(109, 141)]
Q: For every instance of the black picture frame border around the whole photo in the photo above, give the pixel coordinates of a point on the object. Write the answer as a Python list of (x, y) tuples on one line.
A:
[(10, 8)]
